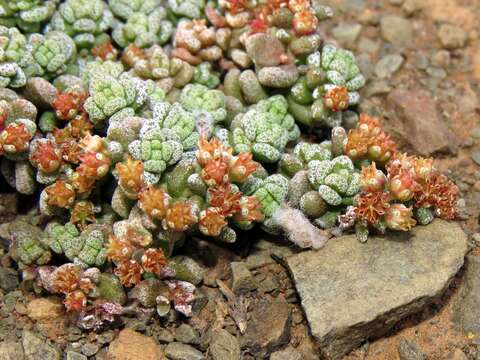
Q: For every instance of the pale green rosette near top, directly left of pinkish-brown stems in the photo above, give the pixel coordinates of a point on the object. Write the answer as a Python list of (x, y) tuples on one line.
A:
[(143, 29)]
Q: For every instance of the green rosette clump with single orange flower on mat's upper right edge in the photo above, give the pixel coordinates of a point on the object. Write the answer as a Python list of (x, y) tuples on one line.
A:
[(329, 87)]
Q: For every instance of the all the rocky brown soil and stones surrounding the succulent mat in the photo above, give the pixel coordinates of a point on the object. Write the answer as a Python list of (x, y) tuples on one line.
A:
[(393, 298)]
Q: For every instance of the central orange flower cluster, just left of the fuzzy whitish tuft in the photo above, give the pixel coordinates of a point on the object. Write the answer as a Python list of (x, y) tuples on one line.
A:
[(219, 170)]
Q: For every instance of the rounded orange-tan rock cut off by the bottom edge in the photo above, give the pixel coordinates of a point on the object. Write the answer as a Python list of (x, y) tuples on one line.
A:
[(131, 345)]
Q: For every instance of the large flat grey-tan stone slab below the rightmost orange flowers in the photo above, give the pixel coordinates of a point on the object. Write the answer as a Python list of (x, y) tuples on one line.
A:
[(400, 273)]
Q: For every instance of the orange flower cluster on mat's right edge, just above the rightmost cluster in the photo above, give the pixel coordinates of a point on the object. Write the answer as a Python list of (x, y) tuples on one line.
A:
[(369, 141)]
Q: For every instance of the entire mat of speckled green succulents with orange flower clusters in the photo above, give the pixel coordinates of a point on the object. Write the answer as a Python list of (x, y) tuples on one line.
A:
[(131, 127)]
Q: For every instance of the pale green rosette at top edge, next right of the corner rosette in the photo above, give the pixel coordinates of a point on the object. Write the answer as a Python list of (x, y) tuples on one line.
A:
[(82, 20)]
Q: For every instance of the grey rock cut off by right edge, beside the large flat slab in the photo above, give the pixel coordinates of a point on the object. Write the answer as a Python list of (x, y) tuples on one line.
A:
[(466, 309)]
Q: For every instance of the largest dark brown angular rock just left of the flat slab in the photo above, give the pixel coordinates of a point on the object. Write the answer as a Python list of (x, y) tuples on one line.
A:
[(268, 328)]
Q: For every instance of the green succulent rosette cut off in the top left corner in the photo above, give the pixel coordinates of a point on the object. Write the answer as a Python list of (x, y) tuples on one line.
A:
[(28, 15)]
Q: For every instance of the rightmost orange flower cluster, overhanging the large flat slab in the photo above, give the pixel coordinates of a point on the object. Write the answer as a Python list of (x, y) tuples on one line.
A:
[(410, 180)]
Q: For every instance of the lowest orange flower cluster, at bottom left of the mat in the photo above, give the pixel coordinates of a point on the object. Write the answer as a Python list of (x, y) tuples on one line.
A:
[(69, 280)]
